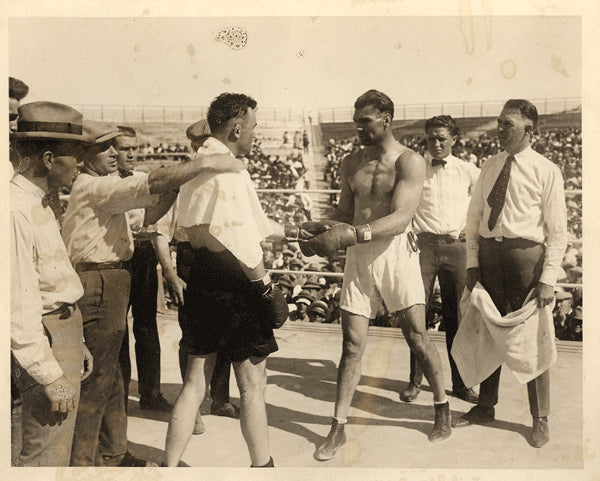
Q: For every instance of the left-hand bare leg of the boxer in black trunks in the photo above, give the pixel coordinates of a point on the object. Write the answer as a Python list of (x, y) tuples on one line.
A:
[(199, 371)]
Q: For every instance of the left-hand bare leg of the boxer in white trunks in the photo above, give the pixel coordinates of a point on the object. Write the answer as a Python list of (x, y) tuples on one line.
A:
[(354, 329)]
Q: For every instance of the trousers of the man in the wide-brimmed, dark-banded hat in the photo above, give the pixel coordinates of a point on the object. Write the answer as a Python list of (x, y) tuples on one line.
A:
[(47, 436)]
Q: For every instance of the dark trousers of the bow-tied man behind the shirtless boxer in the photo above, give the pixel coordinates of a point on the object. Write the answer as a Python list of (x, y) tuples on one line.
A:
[(444, 258)]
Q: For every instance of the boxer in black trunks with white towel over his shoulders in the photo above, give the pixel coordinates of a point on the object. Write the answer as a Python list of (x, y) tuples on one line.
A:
[(233, 301)]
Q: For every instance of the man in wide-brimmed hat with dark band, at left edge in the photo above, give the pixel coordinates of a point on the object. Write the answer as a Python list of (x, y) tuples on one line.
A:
[(47, 343)]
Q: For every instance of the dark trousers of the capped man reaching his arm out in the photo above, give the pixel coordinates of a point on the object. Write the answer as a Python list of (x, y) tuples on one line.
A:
[(101, 425)]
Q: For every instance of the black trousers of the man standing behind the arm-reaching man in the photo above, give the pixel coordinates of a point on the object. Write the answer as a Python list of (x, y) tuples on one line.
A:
[(142, 299)]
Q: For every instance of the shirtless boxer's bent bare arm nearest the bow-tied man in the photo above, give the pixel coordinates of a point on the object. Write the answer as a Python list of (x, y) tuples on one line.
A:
[(410, 169)]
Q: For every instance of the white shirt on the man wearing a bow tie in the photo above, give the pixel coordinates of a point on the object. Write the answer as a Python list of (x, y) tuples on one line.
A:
[(445, 197)]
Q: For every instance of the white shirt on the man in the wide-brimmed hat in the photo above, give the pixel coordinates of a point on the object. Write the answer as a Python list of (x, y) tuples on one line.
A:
[(41, 278)]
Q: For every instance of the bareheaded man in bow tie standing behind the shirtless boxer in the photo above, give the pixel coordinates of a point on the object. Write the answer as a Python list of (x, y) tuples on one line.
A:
[(439, 223)]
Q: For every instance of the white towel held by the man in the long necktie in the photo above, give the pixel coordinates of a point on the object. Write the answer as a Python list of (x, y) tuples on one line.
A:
[(523, 339)]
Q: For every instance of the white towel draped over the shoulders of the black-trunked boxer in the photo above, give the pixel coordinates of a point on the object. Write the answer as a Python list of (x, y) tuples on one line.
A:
[(229, 204)]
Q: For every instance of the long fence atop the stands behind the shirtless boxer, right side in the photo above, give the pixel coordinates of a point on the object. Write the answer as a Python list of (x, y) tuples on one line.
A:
[(457, 109)]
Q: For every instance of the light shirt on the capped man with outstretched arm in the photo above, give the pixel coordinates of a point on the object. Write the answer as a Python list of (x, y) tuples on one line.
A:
[(95, 228)]
